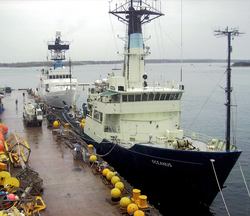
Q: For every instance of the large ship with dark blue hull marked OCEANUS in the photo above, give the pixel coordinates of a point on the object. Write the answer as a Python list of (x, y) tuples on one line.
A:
[(136, 127)]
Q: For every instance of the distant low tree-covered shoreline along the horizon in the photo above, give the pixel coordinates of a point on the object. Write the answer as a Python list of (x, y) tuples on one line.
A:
[(74, 63)]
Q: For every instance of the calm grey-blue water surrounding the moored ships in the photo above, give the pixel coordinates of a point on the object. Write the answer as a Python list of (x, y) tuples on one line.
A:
[(203, 85)]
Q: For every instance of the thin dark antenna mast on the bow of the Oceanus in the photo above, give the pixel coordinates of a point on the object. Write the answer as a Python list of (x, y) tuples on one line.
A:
[(234, 32)]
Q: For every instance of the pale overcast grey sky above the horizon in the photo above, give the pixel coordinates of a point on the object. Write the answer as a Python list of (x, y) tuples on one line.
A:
[(93, 32)]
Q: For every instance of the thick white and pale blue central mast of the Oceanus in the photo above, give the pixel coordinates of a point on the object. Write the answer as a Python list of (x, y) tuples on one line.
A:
[(135, 13)]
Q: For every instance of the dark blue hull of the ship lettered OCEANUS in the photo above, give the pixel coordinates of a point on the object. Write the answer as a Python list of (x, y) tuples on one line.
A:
[(164, 174)]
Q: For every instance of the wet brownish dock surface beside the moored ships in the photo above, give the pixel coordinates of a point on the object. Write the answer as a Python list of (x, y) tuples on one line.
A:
[(70, 187)]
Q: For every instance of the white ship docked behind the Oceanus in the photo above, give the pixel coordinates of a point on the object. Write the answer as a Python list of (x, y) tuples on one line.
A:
[(57, 86)]
